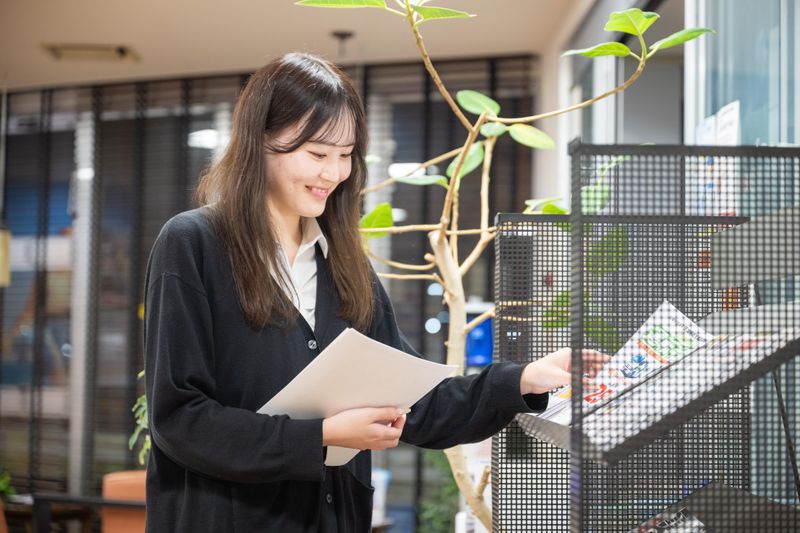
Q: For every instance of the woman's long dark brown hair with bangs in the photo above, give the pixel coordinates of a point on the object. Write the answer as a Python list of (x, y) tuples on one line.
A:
[(294, 89)]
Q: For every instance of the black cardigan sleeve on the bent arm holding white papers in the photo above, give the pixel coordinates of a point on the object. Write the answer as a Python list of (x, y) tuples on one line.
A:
[(187, 423)]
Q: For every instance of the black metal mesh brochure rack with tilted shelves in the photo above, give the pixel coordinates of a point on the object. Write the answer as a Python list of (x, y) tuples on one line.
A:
[(694, 423)]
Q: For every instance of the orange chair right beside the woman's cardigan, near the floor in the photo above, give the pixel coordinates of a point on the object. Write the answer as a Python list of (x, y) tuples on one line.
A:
[(124, 485)]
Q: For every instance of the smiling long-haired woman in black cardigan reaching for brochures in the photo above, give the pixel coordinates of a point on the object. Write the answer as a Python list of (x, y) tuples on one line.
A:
[(277, 237)]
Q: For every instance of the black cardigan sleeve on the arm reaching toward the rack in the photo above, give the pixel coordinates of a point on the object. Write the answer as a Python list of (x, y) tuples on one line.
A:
[(463, 408)]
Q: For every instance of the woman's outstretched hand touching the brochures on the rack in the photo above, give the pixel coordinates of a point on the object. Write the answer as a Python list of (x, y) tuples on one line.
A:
[(554, 370)]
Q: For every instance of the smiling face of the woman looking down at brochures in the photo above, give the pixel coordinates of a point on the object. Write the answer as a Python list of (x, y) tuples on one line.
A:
[(301, 181)]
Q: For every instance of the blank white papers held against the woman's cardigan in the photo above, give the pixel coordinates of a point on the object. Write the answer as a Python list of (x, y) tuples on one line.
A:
[(355, 371)]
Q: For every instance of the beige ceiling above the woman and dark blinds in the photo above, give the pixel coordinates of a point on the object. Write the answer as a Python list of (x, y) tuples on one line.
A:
[(175, 38)]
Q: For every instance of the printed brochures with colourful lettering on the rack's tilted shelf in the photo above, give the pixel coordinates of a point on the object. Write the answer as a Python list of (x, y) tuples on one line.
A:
[(658, 381)]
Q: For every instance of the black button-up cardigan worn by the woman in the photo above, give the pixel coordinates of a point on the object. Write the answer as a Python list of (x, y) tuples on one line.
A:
[(218, 466)]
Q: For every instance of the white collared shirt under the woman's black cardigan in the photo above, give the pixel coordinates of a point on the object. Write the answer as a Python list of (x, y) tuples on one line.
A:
[(303, 271)]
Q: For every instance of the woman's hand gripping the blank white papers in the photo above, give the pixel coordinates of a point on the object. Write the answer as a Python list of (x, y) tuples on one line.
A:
[(365, 428)]
